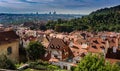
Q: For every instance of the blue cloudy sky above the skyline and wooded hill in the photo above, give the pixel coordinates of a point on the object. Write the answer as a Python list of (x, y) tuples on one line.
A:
[(60, 6)]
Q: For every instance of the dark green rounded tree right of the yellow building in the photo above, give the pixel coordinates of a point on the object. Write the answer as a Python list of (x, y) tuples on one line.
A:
[(35, 50)]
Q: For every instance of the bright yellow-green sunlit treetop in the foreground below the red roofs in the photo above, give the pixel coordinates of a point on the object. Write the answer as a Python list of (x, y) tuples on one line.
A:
[(95, 63)]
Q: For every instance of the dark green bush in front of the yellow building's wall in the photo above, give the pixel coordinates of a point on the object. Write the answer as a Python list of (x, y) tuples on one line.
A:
[(6, 63)]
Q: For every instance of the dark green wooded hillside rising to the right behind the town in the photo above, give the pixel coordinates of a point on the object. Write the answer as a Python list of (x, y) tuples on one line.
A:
[(107, 19)]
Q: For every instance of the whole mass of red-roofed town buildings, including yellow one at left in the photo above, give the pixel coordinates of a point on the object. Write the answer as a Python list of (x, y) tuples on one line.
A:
[(63, 49)]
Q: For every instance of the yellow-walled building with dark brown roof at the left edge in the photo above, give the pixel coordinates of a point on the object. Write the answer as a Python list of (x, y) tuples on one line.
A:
[(9, 45)]
